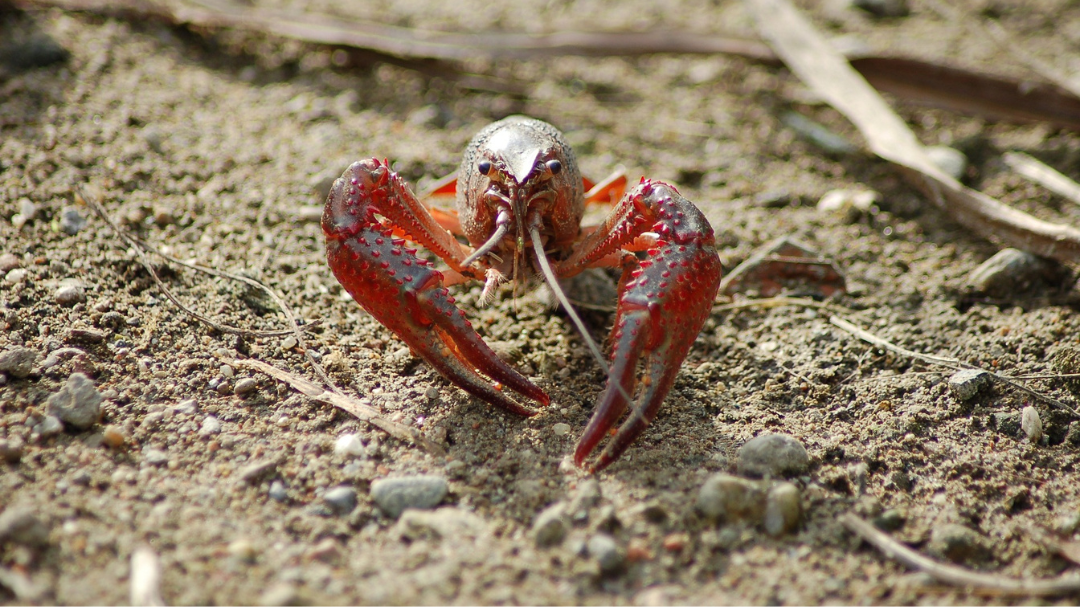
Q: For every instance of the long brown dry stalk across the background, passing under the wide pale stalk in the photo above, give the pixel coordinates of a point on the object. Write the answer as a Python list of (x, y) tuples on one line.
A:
[(925, 83)]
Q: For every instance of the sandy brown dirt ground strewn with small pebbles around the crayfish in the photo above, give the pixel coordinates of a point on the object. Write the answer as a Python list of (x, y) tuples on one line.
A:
[(215, 145)]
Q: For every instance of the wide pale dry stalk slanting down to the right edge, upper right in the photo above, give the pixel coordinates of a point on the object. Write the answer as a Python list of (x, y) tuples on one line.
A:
[(811, 57)]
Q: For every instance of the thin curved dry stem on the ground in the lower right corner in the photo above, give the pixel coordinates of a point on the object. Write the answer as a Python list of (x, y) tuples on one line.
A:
[(952, 574)]
